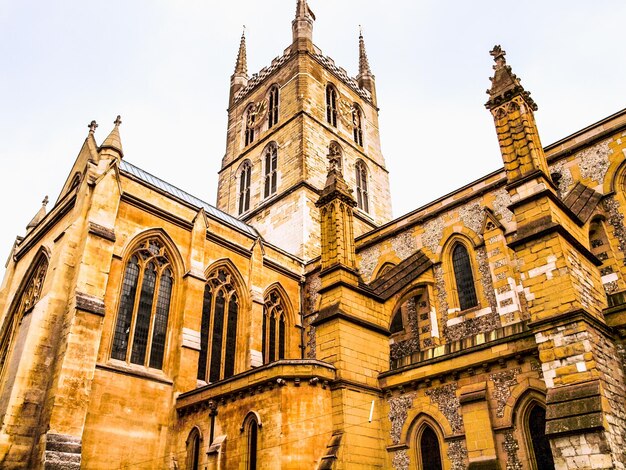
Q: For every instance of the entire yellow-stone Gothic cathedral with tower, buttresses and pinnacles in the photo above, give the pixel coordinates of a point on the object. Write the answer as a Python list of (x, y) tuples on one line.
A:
[(295, 325)]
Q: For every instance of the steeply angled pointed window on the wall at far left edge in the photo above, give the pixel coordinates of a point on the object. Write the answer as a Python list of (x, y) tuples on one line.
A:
[(23, 304)]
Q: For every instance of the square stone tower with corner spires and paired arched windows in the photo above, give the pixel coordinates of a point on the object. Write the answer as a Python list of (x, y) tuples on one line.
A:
[(283, 123)]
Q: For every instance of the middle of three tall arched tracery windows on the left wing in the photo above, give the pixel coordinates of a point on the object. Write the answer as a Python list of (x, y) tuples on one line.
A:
[(218, 334)]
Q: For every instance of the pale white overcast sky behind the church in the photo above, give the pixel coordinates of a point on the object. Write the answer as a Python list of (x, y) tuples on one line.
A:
[(165, 65)]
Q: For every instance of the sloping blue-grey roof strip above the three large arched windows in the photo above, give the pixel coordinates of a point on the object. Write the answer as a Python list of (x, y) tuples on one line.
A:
[(172, 190)]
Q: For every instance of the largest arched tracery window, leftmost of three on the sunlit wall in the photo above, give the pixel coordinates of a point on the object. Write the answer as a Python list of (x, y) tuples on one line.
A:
[(144, 307)]
